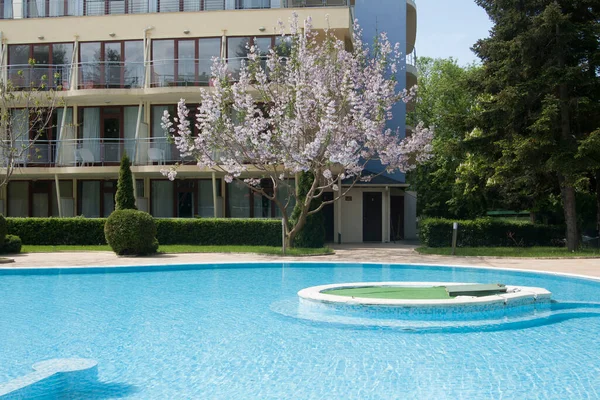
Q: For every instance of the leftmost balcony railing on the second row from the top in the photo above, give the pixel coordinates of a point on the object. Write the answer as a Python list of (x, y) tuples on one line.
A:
[(39, 76)]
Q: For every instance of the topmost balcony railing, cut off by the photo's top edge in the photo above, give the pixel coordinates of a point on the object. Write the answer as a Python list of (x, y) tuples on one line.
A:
[(63, 8)]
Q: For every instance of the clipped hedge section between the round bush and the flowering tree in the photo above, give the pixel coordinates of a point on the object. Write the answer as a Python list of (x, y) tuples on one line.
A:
[(219, 232)]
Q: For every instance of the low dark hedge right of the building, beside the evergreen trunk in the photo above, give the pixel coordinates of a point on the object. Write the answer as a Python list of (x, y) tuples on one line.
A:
[(488, 232)]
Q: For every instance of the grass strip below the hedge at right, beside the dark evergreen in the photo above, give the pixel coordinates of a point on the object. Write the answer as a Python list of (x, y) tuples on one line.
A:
[(551, 252)]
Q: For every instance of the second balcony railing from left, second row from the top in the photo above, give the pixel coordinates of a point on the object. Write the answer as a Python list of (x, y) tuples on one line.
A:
[(111, 74)]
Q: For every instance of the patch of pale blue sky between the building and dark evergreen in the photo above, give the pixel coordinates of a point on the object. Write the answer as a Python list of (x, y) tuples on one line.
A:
[(449, 28)]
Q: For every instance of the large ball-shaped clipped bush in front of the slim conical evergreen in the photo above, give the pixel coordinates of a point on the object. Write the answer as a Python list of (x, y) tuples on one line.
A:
[(131, 232)]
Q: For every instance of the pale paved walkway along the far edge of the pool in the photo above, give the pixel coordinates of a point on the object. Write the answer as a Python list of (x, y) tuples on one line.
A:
[(384, 253)]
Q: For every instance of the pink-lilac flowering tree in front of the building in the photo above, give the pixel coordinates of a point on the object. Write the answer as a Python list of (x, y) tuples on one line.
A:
[(309, 105)]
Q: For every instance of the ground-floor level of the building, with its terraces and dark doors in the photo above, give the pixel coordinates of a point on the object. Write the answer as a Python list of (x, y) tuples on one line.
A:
[(365, 213)]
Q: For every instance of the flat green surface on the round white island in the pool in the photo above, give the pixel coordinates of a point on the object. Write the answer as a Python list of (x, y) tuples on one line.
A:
[(393, 292)]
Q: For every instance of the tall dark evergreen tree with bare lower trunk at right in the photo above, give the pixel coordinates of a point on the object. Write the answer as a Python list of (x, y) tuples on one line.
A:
[(541, 93)]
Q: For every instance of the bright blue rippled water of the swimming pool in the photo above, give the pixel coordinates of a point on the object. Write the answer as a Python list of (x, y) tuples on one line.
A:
[(222, 332)]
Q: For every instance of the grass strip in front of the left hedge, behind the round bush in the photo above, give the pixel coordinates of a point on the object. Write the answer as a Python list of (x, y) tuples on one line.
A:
[(184, 248)]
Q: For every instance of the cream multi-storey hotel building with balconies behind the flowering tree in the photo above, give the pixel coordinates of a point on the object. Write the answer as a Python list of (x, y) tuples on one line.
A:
[(117, 65)]
